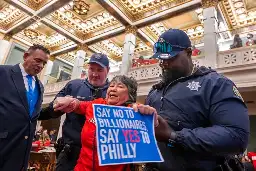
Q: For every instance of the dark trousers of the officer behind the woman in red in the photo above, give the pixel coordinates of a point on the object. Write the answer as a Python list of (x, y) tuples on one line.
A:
[(66, 161)]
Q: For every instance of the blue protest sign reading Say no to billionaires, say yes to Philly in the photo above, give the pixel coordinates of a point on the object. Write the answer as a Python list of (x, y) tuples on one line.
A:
[(124, 136)]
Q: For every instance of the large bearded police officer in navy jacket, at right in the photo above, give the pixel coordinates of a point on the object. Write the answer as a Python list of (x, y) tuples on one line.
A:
[(203, 120)]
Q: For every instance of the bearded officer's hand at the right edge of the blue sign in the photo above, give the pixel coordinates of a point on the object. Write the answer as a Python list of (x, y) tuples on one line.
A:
[(163, 130)]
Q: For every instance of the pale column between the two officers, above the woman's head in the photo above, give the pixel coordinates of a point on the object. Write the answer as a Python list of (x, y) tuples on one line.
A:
[(129, 46)]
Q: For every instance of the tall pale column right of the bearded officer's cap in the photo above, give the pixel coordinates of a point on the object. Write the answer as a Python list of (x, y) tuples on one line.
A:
[(210, 32)]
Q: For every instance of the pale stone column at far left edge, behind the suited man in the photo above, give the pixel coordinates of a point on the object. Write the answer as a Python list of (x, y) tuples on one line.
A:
[(4, 48)]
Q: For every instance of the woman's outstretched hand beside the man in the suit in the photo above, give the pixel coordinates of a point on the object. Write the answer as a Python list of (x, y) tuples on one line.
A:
[(65, 104)]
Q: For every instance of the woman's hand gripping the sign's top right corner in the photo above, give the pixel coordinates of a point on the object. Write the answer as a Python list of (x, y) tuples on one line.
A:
[(146, 110)]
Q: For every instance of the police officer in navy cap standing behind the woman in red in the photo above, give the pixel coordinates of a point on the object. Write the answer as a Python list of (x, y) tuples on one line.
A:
[(95, 86)]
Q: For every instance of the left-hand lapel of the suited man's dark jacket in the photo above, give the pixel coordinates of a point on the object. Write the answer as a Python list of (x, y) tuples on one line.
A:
[(20, 86)]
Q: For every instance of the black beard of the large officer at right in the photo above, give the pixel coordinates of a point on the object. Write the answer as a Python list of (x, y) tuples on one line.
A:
[(171, 74)]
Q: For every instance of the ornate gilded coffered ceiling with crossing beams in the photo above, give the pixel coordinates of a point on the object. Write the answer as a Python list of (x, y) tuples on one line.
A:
[(100, 25)]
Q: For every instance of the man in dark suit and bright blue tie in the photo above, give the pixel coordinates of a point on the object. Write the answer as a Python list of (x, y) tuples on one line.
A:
[(21, 96)]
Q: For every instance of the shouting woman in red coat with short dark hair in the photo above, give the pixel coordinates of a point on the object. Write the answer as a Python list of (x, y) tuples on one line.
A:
[(122, 91)]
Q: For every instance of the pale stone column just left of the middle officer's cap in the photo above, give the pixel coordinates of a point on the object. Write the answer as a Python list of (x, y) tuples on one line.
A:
[(79, 62)]
